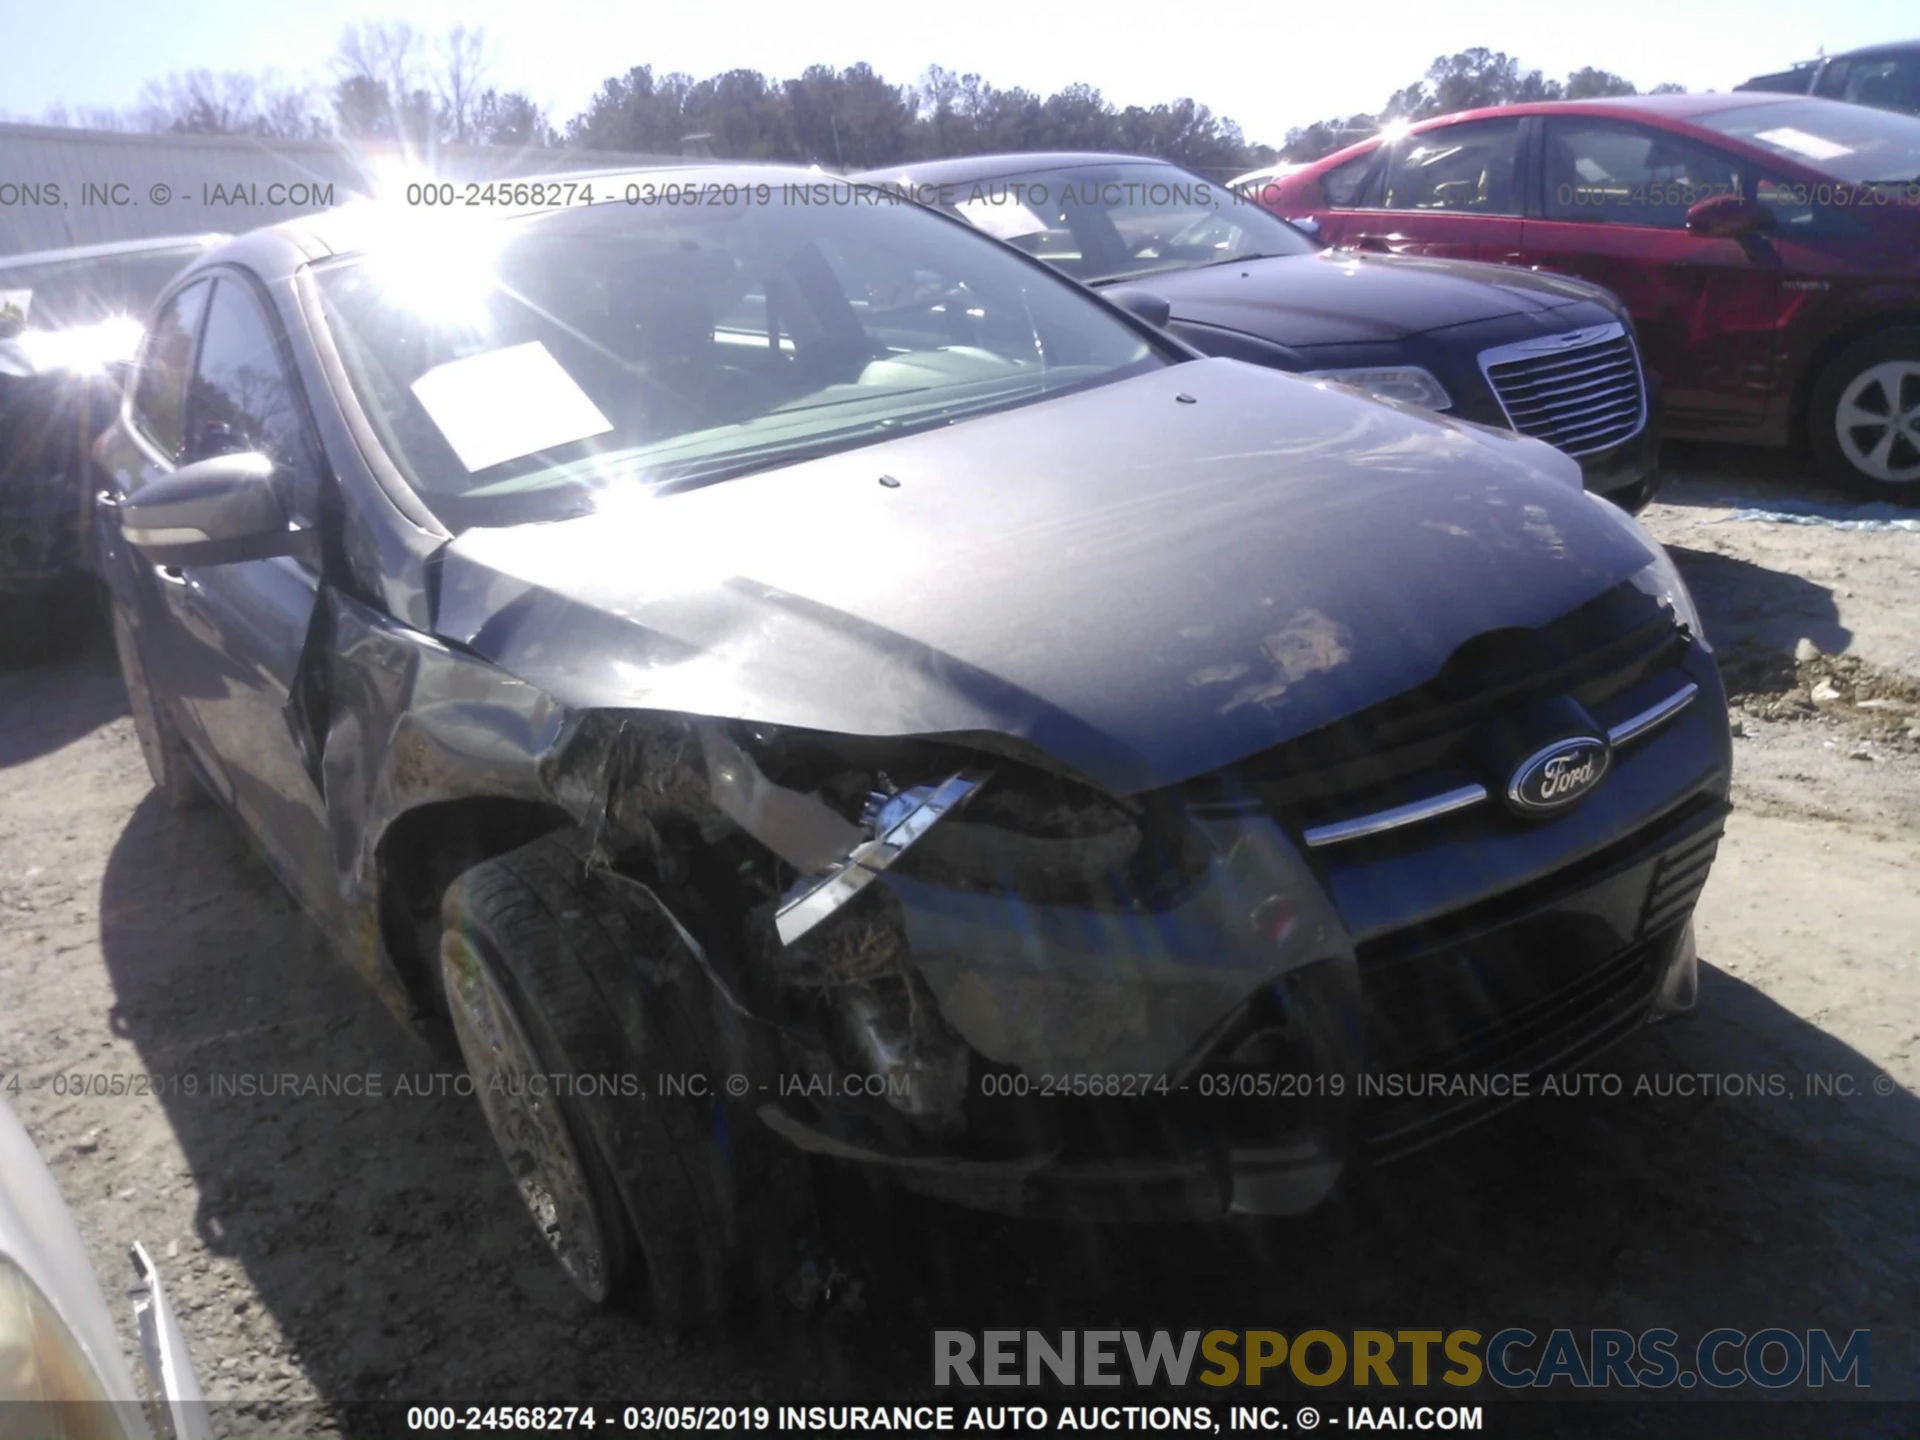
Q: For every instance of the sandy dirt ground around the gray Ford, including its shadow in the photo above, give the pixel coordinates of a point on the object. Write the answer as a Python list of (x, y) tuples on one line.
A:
[(331, 1251)]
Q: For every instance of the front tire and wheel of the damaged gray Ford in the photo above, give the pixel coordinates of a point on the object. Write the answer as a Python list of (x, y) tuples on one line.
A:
[(552, 971)]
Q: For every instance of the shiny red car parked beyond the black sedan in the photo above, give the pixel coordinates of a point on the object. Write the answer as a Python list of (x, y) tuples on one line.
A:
[(1767, 247)]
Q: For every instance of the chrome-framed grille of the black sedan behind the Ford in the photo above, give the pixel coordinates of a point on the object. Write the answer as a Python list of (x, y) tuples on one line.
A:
[(1581, 398)]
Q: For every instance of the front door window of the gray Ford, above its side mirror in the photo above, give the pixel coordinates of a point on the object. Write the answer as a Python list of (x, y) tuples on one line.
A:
[(243, 398)]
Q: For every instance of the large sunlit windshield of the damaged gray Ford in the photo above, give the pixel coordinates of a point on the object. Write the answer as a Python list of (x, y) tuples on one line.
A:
[(516, 370)]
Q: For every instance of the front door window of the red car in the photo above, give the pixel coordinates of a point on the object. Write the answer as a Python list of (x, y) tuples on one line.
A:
[(1623, 176)]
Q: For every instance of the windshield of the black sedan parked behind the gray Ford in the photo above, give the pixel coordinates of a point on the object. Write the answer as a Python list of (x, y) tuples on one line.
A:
[(1115, 222)]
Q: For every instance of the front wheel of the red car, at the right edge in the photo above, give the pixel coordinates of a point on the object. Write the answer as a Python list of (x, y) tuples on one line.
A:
[(1863, 418)]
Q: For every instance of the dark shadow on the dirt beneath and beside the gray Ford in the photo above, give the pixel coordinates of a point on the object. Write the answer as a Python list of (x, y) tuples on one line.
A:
[(387, 1245)]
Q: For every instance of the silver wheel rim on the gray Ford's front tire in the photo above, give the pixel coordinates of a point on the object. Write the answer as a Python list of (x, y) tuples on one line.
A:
[(523, 1111)]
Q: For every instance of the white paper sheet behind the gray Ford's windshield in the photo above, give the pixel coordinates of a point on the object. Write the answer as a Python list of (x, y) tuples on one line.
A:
[(508, 404)]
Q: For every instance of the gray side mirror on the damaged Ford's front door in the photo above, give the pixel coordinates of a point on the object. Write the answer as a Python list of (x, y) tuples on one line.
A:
[(216, 512)]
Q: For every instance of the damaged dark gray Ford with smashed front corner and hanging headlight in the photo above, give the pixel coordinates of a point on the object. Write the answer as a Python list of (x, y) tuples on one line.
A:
[(780, 675)]
